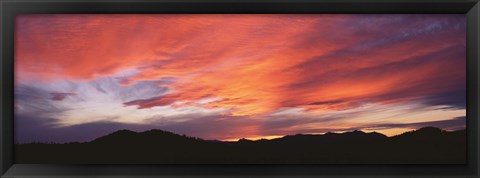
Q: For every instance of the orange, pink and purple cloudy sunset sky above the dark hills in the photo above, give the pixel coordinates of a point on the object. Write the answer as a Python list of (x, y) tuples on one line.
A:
[(225, 77)]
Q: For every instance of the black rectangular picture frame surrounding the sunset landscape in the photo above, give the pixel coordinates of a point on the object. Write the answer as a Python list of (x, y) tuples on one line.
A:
[(10, 8)]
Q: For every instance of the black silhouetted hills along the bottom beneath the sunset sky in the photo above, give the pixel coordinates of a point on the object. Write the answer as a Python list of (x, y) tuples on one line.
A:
[(424, 146)]
